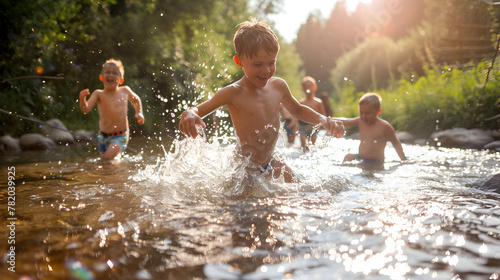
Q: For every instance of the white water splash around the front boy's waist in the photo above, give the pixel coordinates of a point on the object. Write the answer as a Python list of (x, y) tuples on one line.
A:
[(201, 169)]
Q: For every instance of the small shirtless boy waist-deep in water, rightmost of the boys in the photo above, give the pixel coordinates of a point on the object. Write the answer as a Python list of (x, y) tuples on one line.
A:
[(374, 132)]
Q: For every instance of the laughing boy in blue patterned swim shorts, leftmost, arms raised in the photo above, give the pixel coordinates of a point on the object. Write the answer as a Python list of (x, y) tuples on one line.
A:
[(112, 103)]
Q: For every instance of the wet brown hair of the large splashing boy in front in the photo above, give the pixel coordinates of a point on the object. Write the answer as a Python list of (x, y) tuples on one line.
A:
[(254, 35)]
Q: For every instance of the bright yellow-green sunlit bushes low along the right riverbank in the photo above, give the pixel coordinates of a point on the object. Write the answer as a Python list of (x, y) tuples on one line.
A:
[(441, 99)]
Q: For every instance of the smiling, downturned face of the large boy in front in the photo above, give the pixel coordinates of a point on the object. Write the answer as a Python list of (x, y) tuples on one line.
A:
[(259, 68)]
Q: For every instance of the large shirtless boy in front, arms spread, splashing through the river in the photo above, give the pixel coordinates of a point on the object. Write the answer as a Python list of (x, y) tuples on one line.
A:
[(254, 101)]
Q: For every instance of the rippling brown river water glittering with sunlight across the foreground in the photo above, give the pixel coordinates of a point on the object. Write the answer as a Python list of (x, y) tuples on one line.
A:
[(195, 214)]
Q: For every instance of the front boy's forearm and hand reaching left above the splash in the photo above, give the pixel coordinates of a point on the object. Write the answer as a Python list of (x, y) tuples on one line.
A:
[(192, 117)]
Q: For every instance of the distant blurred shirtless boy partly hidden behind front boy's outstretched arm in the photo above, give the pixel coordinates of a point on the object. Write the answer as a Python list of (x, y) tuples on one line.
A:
[(309, 87)]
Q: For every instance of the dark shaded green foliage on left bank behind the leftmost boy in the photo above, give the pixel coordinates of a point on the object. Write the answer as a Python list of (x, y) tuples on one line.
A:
[(175, 53)]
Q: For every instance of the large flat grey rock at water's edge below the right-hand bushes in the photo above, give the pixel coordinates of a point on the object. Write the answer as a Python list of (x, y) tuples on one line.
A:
[(463, 138)]
